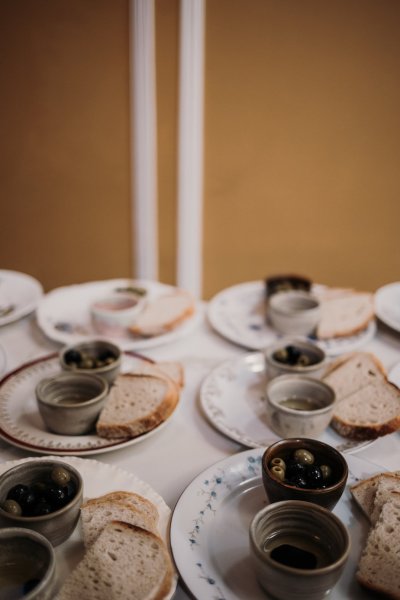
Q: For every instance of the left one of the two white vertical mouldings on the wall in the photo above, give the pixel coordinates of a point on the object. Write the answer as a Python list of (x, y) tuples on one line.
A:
[(143, 139)]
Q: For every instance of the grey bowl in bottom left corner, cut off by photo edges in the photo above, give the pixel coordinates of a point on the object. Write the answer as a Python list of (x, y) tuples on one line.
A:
[(27, 565)]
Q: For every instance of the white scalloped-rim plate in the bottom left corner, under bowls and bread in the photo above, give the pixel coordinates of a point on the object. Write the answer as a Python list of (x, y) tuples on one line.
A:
[(99, 479)]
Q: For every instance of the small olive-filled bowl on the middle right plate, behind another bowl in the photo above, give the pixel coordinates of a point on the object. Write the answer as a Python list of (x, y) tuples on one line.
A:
[(294, 355)]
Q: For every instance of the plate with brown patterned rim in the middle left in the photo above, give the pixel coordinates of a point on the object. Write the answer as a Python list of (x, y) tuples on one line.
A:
[(21, 424)]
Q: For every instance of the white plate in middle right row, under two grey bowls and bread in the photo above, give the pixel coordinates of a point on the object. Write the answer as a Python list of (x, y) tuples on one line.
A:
[(232, 397)]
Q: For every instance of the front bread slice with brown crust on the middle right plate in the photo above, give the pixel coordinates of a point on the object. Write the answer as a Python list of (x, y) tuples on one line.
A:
[(369, 413)]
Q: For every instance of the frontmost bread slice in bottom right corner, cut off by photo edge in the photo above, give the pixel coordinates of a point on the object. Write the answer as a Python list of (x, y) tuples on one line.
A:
[(379, 564)]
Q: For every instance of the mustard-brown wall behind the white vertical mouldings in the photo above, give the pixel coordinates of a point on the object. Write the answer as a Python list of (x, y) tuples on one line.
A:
[(302, 141)]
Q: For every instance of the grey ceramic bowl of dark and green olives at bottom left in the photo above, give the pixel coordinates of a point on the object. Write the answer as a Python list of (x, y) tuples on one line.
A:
[(56, 526)]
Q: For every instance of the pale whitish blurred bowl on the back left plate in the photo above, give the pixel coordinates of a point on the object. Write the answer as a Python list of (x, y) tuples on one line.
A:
[(113, 314)]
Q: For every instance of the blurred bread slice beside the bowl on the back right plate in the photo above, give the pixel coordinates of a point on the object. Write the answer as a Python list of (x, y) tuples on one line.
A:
[(345, 315)]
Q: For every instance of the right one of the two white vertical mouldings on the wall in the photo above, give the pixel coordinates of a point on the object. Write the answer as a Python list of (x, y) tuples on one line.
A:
[(190, 151)]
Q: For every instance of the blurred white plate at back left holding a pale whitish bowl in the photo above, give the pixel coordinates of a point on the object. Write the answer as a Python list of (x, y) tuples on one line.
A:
[(64, 313)]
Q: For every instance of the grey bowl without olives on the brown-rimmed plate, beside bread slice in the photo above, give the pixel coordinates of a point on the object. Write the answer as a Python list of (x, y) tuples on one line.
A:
[(70, 403)]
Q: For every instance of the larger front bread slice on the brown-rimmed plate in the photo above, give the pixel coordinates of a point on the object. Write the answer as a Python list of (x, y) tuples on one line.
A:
[(136, 404)]
